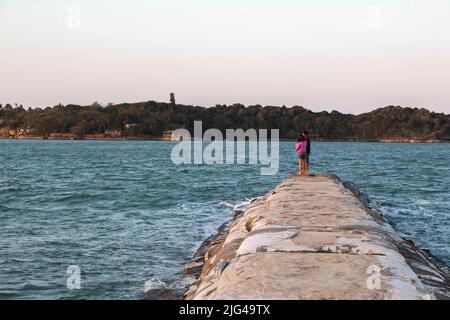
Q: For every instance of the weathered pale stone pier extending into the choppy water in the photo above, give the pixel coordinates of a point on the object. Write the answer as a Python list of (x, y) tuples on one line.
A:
[(314, 237)]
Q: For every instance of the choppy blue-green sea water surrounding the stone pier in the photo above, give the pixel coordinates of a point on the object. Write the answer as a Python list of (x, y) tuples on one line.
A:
[(127, 216)]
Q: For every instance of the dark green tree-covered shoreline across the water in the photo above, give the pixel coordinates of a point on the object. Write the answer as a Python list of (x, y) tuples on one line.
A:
[(154, 118)]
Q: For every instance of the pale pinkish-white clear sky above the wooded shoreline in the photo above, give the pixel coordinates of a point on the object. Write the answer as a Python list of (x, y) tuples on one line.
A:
[(352, 55)]
